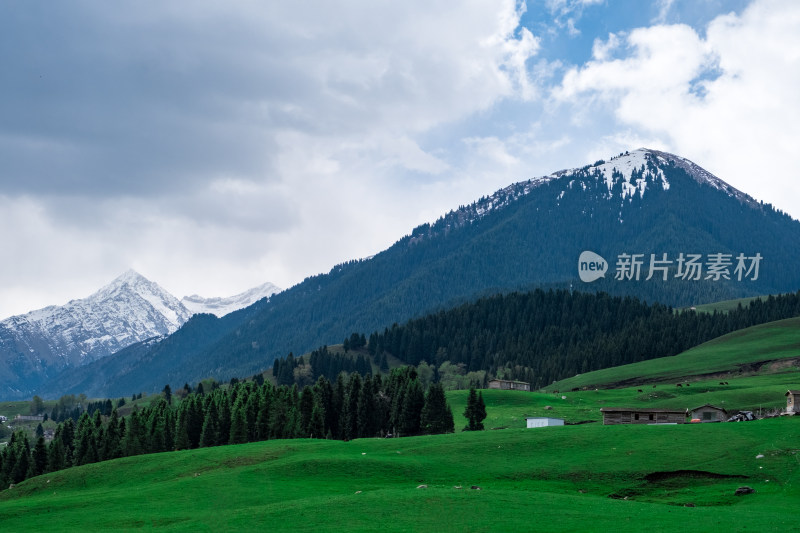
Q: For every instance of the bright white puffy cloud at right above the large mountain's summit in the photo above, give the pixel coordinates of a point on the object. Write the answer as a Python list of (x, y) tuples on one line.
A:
[(727, 100)]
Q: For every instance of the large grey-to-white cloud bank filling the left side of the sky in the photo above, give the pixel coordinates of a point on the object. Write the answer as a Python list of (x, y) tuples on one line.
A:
[(222, 146)]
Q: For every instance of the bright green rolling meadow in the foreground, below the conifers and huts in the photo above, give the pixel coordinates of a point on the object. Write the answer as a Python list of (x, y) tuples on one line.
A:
[(572, 478)]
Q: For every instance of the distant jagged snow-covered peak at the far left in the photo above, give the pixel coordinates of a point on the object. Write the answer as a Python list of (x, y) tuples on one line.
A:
[(41, 343)]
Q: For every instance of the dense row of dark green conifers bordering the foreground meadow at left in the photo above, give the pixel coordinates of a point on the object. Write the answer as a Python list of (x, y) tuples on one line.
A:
[(350, 407)]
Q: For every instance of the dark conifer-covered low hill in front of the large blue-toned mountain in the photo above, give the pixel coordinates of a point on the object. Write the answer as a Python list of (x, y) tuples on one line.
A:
[(543, 336)]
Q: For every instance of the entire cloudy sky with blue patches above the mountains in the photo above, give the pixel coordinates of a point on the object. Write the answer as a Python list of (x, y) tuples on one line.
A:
[(214, 146)]
